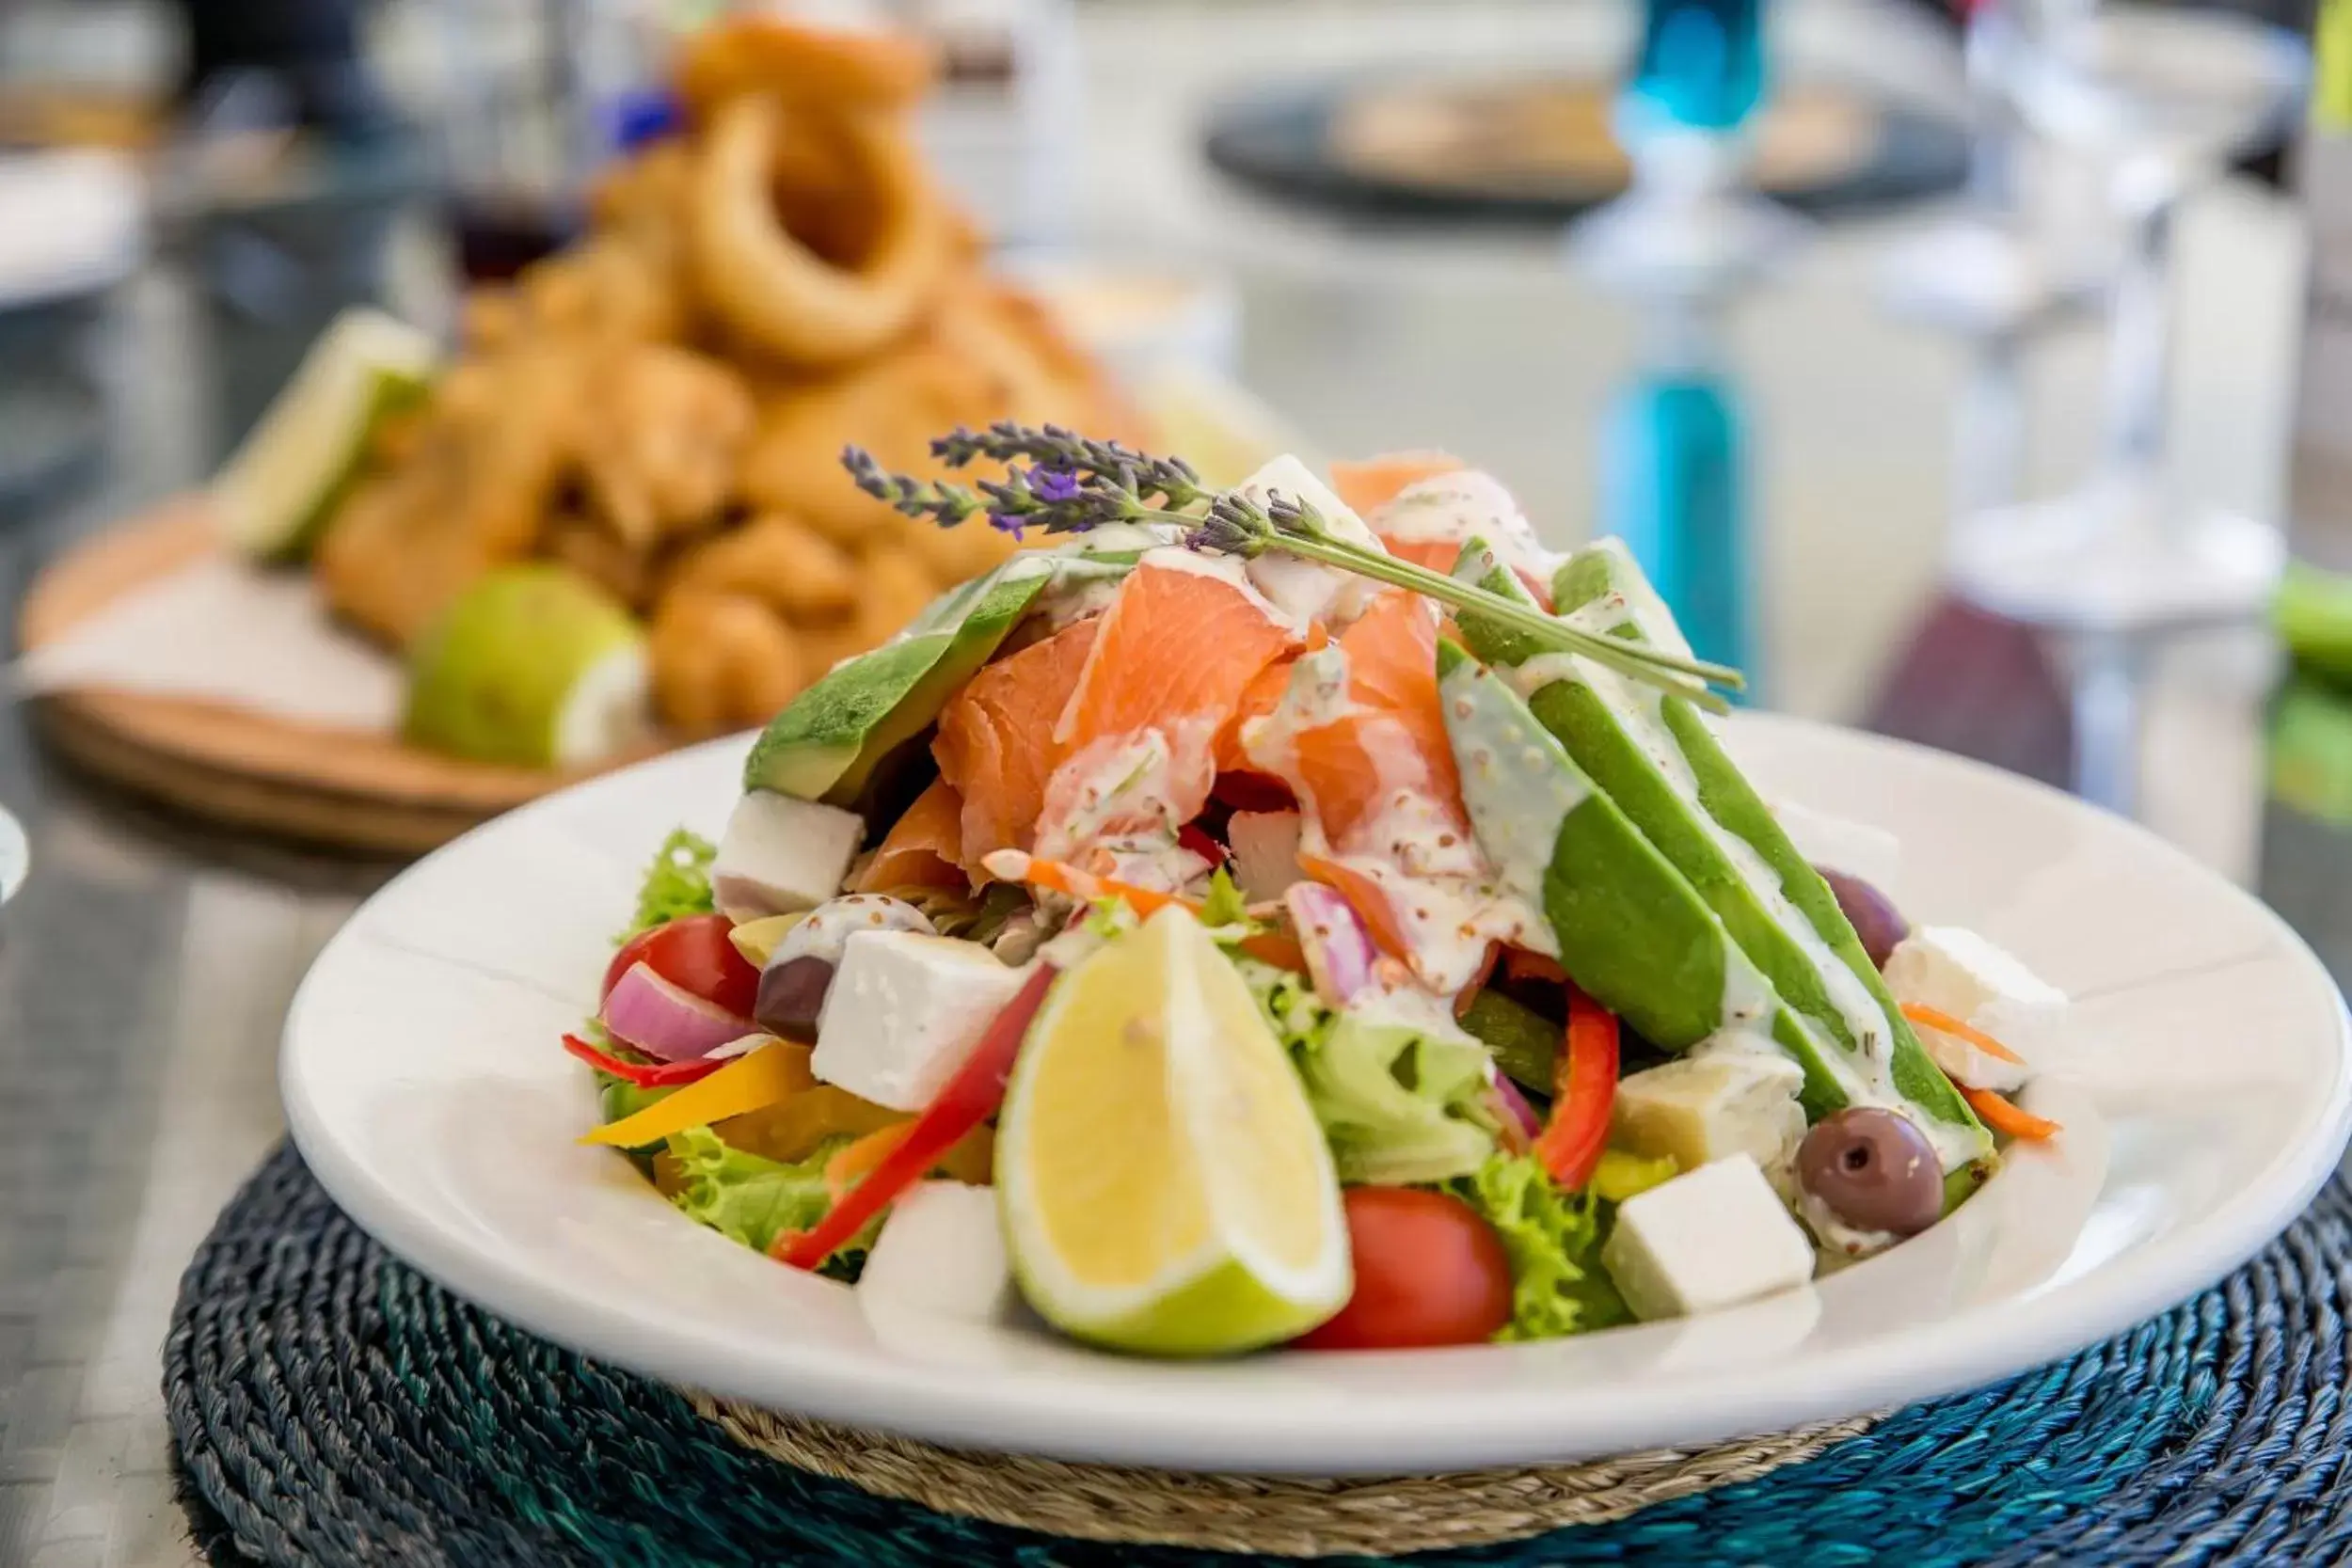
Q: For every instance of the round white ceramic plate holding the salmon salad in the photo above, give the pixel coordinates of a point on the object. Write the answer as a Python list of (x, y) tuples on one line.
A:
[(2205, 1104)]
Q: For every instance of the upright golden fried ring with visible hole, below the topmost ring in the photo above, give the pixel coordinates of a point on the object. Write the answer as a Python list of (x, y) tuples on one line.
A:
[(777, 293)]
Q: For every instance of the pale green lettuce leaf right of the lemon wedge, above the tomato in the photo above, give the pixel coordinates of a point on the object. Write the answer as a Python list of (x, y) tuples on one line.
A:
[(1398, 1101)]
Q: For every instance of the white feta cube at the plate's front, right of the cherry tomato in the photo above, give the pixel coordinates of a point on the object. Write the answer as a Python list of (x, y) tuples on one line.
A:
[(1709, 1240)]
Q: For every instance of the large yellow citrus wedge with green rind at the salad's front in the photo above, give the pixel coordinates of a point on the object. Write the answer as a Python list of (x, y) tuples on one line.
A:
[(1165, 1186)]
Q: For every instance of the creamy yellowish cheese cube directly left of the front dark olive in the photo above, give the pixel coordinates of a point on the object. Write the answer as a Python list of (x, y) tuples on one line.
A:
[(1711, 1106)]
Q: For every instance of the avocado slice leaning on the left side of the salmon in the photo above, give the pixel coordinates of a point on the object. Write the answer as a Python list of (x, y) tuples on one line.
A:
[(836, 735)]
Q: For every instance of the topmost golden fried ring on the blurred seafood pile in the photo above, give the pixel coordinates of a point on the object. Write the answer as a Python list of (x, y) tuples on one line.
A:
[(806, 65)]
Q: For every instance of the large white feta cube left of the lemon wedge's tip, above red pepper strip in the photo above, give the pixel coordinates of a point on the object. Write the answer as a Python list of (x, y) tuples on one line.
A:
[(904, 1012)]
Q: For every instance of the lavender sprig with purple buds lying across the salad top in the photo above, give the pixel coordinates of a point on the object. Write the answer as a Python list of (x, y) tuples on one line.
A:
[(1067, 483)]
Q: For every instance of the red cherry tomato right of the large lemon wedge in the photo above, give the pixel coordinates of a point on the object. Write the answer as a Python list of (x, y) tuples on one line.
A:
[(1429, 1271)]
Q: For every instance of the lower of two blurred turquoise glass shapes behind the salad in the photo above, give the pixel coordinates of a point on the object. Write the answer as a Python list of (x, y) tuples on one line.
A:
[(1673, 488)]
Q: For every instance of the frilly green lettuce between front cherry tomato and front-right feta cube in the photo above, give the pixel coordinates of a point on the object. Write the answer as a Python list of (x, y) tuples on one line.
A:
[(1553, 1240)]
